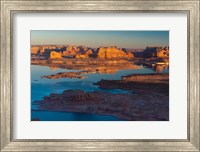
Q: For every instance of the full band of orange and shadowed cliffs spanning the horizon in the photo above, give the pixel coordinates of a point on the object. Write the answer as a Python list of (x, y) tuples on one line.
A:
[(109, 53)]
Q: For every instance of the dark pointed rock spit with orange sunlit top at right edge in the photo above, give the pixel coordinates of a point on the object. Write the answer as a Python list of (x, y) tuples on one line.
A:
[(146, 84)]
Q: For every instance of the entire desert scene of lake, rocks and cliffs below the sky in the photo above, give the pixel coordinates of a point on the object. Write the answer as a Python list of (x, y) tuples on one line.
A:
[(107, 83)]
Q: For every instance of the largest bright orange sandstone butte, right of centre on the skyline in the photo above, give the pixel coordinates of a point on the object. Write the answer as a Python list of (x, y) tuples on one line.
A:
[(113, 53)]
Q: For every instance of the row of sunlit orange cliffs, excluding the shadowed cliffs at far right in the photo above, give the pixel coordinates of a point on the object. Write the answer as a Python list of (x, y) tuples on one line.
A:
[(80, 52)]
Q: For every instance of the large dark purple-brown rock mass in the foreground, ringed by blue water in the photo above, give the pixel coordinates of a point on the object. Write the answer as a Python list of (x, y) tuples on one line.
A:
[(129, 107)]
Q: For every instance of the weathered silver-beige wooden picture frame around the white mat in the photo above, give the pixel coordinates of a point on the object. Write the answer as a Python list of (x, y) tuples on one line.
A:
[(9, 8)]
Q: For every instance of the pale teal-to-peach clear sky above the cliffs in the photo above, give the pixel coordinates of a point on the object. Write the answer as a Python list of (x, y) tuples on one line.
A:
[(122, 39)]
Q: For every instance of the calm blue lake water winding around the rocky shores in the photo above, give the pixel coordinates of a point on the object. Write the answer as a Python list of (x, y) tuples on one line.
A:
[(41, 87)]
